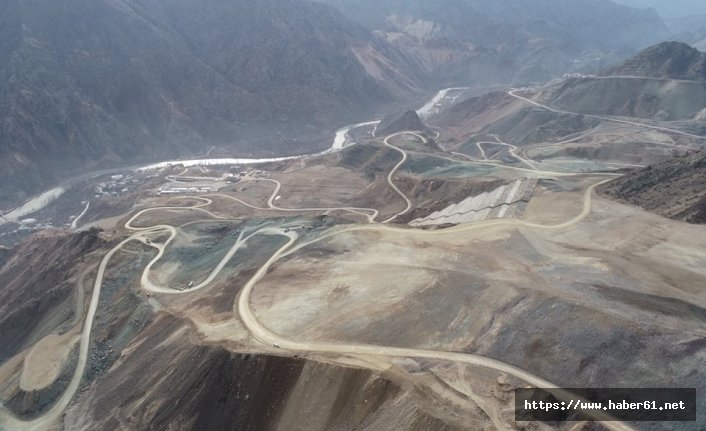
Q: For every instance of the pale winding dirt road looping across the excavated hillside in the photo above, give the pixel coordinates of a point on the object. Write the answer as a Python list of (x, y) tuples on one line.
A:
[(147, 234)]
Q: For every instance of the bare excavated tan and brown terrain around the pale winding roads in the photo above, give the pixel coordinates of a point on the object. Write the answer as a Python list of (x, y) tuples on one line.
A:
[(542, 300)]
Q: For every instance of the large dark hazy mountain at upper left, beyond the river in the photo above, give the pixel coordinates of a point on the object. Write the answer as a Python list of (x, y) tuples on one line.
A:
[(90, 83)]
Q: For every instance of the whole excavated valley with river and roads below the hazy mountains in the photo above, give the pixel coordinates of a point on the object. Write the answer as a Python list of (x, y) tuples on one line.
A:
[(440, 265)]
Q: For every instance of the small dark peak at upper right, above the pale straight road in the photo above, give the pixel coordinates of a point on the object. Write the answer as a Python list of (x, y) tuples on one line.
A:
[(670, 60)]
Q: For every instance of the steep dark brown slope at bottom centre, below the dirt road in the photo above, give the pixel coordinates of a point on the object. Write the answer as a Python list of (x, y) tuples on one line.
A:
[(209, 388)]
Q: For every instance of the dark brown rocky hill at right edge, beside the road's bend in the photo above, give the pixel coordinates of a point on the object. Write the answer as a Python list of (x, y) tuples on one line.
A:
[(673, 189)]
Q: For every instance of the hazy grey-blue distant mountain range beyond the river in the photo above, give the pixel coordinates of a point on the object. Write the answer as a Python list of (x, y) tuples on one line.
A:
[(86, 84)]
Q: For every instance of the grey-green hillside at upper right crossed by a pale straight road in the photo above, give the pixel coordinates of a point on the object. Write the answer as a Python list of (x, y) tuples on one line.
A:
[(576, 106)]
